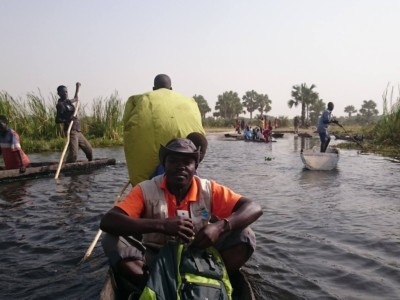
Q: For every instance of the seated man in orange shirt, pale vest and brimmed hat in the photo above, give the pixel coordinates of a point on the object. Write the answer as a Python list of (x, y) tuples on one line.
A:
[(178, 205)]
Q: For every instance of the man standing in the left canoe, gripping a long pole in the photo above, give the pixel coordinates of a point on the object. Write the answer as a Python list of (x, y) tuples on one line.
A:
[(65, 114)]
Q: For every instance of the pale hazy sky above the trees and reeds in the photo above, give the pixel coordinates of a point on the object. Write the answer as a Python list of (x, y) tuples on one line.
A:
[(349, 49)]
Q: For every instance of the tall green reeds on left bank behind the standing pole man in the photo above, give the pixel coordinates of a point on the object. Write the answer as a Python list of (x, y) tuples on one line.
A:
[(33, 117)]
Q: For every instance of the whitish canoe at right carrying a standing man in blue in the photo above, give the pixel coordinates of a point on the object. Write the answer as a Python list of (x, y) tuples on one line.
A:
[(315, 160)]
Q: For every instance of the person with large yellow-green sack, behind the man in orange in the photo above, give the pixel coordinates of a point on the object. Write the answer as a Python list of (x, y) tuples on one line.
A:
[(152, 119)]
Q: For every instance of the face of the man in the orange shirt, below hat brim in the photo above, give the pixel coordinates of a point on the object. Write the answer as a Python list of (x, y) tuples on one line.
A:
[(179, 169)]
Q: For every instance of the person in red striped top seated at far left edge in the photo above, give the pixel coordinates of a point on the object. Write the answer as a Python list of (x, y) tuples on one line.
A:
[(10, 148)]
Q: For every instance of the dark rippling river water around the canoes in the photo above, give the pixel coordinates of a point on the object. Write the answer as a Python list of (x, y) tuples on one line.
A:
[(323, 235)]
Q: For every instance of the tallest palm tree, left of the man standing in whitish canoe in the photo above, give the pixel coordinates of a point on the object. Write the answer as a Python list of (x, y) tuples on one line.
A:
[(301, 94)]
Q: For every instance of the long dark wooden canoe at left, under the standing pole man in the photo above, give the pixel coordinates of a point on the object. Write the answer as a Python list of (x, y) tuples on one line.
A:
[(49, 168)]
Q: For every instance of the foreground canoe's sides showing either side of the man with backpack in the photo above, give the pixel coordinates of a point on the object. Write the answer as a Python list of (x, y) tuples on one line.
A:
[(242, 289)]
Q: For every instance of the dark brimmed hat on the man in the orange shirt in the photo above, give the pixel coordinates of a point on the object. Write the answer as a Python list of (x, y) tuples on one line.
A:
[(179, 146)]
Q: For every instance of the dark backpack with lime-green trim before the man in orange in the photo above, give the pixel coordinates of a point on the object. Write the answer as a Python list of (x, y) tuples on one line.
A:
[(182, 273)]
